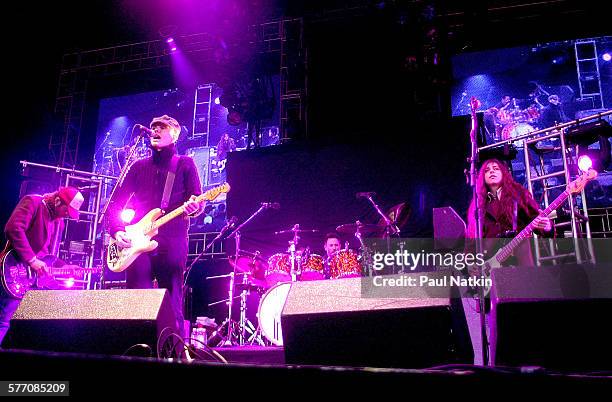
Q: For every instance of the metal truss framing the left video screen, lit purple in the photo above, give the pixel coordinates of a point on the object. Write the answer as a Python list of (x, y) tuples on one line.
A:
[(78, 69)]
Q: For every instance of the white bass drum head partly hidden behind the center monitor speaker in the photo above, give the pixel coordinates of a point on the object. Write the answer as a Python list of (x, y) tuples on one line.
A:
[(269, 312)]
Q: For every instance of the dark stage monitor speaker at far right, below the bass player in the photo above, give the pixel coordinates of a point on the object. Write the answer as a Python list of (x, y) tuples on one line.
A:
[(552, 317)]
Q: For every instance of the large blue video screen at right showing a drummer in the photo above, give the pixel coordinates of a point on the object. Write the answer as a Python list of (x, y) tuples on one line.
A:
[(531, 87)]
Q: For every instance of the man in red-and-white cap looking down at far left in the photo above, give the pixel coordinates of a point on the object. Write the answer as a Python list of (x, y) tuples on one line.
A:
[(32, 232)]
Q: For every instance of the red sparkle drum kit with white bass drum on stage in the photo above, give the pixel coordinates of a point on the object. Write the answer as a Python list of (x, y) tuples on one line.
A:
[(271, 278)]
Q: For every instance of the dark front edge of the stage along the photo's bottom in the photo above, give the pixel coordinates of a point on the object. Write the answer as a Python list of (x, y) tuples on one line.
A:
[(114, 376)]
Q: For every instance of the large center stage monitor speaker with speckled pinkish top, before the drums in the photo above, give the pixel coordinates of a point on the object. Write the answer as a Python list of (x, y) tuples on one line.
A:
[(330, 323)]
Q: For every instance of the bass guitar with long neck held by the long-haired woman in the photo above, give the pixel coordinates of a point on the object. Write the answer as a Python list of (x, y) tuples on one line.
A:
[(505, 252)]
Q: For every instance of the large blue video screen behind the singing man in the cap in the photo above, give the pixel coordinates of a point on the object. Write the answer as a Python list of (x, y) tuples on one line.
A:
[(210, 129)]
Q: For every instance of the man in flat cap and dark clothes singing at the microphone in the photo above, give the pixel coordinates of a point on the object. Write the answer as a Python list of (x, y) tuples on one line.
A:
[(148, 185)]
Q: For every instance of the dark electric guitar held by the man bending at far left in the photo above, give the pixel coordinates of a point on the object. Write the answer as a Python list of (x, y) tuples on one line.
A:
[(18, 277)]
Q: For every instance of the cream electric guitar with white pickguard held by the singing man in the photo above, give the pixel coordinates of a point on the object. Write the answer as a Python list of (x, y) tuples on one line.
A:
[(119, 259)]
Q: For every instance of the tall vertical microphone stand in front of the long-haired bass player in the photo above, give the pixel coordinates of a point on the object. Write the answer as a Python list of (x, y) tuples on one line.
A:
[(477, 211)]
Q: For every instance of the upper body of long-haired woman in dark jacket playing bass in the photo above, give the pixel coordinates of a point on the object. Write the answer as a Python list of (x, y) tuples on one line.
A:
[(507, 207)]
